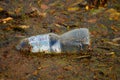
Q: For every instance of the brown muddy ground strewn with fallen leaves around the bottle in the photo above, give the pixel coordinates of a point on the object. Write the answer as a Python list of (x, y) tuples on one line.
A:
[(21, 19)]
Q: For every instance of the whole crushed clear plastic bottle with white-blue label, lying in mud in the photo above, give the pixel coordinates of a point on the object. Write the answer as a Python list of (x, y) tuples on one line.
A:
[(71, 41)]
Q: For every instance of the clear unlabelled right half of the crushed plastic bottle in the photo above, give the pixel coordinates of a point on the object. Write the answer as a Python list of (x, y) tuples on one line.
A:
[(75, 40)]
